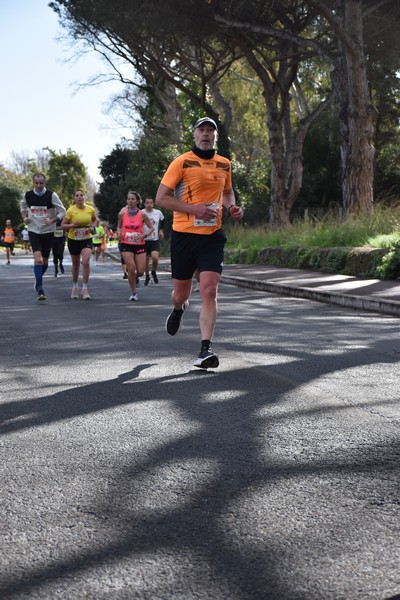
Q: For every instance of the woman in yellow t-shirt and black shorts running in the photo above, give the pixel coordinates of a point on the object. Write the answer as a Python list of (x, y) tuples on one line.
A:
[(79, 221)]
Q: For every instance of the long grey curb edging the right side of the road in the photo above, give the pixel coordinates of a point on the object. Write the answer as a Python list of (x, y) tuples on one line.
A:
[(386, 307)]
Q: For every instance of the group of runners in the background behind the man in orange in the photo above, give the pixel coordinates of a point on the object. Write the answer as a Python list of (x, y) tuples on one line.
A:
[(51, 227)]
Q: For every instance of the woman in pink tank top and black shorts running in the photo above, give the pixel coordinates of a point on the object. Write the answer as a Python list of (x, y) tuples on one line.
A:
[(130, 233)]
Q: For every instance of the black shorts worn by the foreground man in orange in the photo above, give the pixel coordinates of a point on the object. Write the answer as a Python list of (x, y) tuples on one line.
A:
[(191, 251)]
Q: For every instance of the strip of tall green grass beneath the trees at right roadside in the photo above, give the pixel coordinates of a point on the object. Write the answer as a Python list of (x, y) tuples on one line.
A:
[(377, 230)]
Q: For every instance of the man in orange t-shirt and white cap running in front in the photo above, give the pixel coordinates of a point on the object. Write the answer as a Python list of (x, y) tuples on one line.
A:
[(196, 186)]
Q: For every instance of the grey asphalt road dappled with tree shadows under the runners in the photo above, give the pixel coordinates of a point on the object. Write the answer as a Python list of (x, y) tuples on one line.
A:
[(126, 473)]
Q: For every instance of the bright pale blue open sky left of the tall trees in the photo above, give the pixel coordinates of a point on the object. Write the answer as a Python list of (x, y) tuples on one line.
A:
[(39, 104)]
